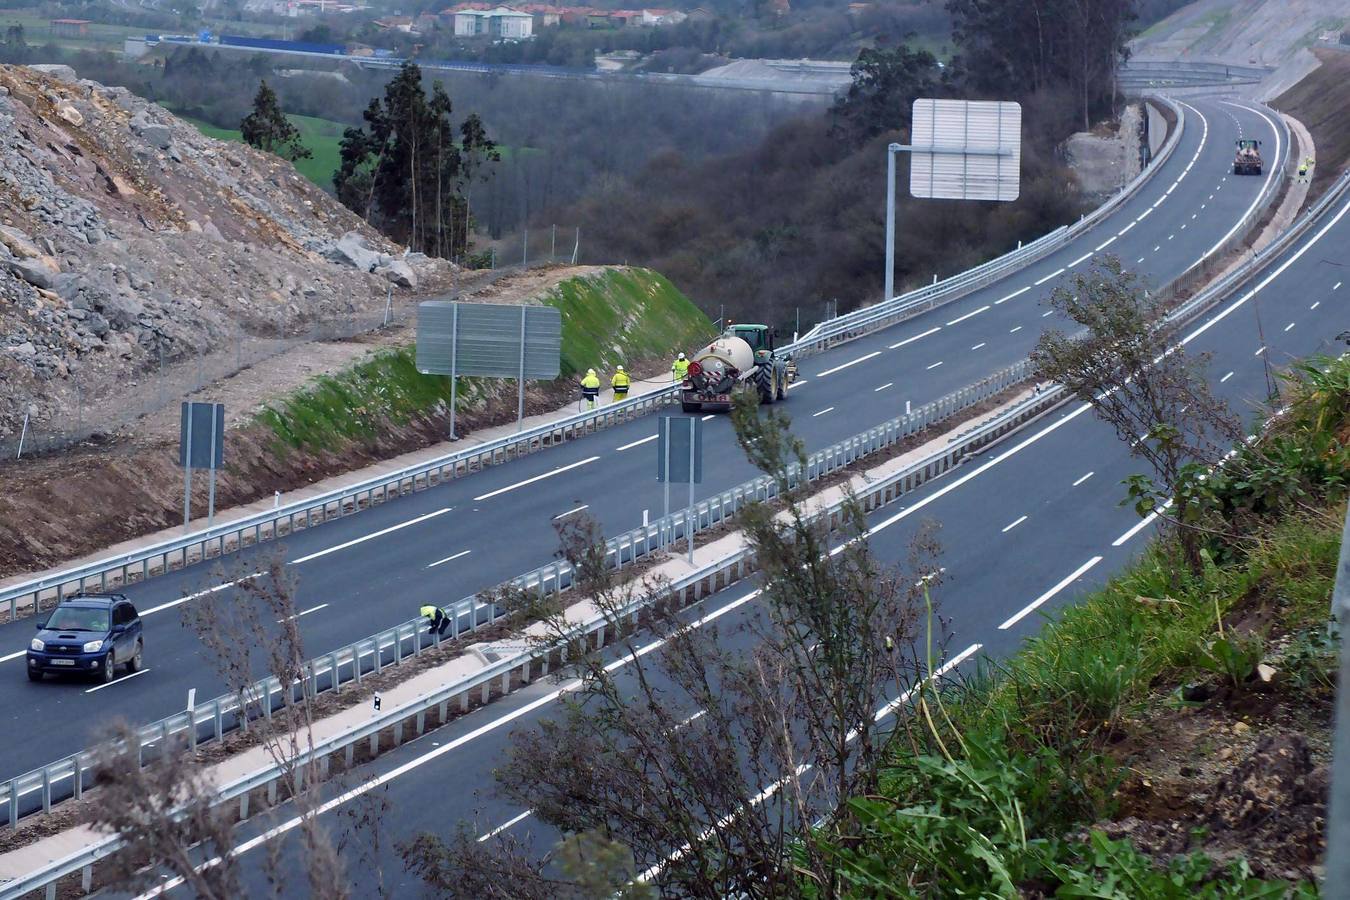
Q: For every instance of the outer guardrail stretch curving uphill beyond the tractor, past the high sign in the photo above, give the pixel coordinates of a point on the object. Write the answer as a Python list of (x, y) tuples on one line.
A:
[(870, 319)]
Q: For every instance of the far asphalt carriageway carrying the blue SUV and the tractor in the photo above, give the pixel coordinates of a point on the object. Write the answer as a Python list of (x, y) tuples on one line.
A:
[(371, 571)]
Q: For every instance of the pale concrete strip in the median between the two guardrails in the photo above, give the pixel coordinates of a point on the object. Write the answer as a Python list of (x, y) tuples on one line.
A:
[(718, 566)]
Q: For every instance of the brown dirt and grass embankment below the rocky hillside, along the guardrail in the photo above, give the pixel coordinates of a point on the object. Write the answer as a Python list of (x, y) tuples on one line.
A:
[(327, 410)]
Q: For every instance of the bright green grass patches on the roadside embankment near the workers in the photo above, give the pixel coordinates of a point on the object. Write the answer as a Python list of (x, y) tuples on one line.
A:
[(611, 318)]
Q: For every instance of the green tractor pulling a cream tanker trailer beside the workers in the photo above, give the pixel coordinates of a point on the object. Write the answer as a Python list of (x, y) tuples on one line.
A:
[(743, 358)]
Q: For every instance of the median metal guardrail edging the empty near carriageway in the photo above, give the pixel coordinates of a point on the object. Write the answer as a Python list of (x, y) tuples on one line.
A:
[(512, 673)]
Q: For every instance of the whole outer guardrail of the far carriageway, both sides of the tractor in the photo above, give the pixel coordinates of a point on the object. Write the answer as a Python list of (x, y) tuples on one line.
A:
[(140, 565)]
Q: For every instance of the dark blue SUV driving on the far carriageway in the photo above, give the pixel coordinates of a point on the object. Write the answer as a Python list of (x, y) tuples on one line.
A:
[(88, 634)]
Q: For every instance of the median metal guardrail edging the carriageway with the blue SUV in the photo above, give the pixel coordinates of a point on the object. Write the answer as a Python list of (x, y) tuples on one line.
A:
[(68, 778)]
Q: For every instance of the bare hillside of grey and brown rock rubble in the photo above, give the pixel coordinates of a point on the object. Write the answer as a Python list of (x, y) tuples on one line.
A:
[(130, 241)]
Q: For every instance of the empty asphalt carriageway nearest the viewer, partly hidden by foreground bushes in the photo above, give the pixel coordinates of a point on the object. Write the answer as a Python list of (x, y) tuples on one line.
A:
[(1028, 528)]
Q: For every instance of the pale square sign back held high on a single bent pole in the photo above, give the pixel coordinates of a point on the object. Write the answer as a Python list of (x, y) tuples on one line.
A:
[(966, 150)]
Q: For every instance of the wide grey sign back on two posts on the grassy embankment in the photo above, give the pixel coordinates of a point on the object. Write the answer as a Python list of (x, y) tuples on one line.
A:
[(495, 341)]
